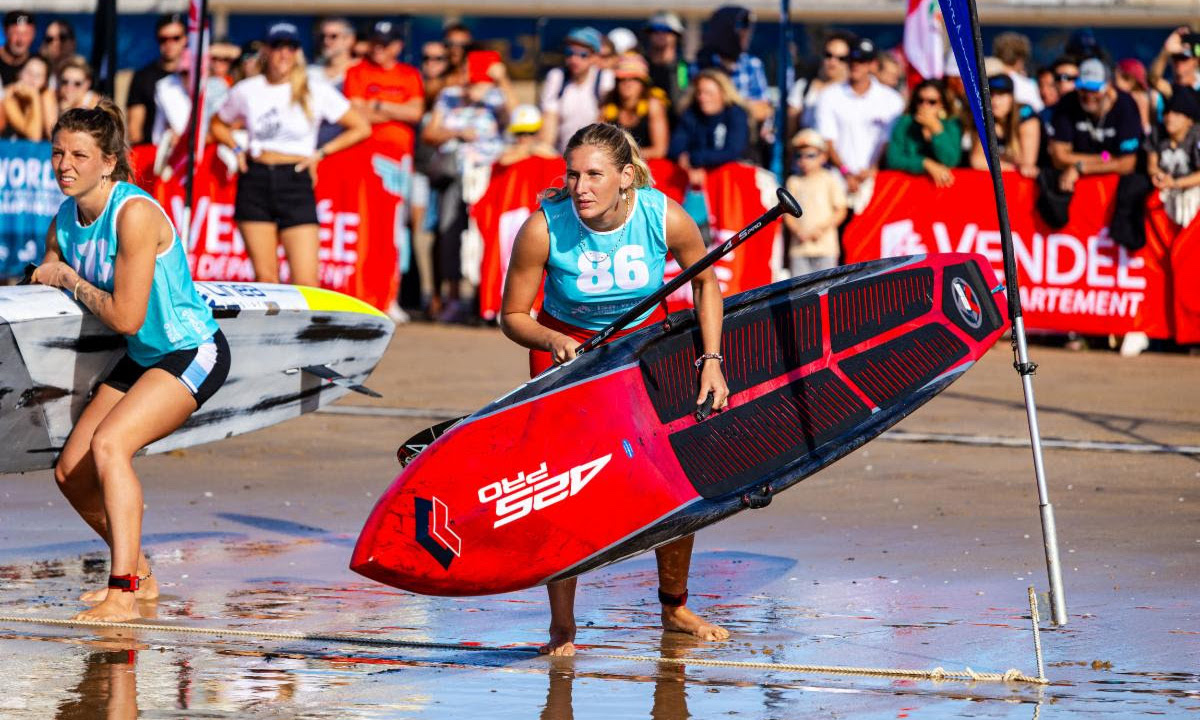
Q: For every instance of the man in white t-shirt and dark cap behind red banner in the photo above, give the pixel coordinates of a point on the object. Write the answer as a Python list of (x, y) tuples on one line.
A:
[(856, 118)]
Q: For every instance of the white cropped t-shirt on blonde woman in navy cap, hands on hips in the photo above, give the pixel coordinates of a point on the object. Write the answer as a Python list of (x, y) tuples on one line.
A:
[(274, 122)]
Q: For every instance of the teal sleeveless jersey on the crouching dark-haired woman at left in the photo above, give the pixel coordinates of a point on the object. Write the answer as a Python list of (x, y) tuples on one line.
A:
[(177, 317)]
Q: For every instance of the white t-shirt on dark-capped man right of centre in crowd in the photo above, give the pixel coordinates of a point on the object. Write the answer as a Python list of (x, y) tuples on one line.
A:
[(859, 125)]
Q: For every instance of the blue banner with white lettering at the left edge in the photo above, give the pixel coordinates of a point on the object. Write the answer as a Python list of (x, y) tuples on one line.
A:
[(29, 199)]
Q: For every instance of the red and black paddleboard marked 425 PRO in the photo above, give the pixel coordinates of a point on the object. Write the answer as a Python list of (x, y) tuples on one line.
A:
[(603, 458)]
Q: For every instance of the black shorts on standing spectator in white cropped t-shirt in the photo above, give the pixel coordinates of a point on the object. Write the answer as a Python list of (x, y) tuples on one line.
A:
[(275, 194)]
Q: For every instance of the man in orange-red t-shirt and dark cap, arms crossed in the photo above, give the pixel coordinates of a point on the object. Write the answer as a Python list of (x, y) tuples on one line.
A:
[(389, 93)]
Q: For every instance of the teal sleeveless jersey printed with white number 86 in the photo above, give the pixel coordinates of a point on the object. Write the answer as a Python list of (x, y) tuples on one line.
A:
[(593, 278)]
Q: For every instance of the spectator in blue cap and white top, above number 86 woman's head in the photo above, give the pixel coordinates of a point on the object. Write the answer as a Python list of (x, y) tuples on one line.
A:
[(571, 95)]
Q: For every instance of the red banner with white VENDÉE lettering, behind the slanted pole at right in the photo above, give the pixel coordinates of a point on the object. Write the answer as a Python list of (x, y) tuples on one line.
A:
[(1075, 278)]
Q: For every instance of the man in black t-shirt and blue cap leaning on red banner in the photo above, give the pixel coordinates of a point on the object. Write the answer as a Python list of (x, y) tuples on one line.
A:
[(1097, 130)]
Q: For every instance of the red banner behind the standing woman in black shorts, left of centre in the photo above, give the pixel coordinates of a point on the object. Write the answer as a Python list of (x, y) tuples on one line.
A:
[(359, 209)]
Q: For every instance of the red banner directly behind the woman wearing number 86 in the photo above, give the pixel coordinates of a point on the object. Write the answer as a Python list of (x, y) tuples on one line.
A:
[(736, 194)]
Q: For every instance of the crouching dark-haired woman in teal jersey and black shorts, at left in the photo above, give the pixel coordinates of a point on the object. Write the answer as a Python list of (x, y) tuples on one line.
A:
[(115, 250)]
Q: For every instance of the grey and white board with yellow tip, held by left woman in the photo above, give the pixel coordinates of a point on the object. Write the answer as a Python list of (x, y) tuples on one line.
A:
[(53, 353)]
